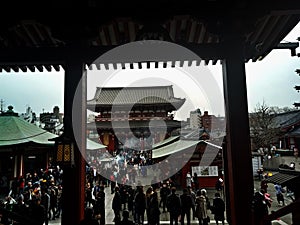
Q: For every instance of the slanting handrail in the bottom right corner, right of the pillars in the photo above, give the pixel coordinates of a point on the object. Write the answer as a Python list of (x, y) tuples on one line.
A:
[(291, 208)]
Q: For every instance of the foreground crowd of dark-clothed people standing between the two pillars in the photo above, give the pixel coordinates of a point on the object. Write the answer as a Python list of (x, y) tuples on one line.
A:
[(152, 201)]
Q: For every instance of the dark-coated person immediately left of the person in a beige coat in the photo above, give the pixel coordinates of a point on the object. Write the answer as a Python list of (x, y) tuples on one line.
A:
[(186, 206)]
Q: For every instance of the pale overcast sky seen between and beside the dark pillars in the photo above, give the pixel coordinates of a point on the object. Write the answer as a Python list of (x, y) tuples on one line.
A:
[(271, 80)]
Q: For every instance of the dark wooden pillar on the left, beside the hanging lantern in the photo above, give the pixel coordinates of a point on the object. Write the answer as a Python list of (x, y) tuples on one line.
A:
[(74, 177)]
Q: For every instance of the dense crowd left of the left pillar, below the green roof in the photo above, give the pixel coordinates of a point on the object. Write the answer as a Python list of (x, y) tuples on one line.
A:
[(36, 197)]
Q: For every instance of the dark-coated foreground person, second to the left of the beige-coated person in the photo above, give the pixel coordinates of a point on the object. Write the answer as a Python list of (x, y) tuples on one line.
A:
[(173, 206)]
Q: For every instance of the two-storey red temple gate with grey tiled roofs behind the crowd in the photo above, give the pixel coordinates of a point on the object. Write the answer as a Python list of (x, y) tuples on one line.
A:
[(133, 117)]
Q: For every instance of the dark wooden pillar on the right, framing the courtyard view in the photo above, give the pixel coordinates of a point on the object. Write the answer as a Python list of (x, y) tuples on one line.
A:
[(238, 166)]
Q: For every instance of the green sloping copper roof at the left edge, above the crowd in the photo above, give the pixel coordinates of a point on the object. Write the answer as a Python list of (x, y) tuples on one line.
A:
[(14, 130)]
